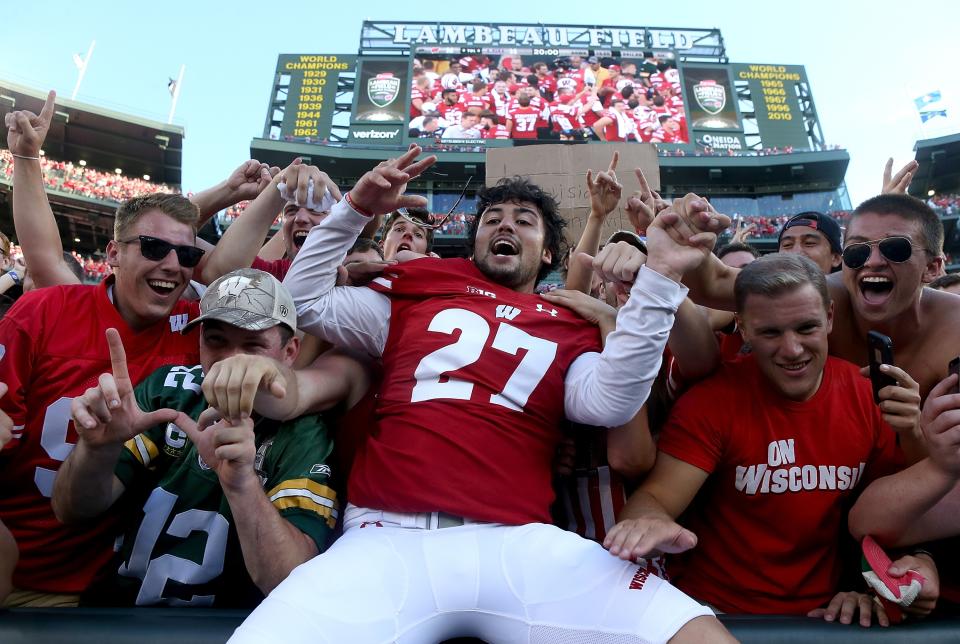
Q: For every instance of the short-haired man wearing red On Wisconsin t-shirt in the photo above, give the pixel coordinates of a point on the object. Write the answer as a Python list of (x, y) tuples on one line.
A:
[(767, 453)]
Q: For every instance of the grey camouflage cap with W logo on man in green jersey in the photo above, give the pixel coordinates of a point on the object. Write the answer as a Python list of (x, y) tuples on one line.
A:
[(248, 299)]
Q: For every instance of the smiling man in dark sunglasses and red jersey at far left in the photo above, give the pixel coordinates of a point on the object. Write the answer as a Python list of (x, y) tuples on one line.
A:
[(52, 348)]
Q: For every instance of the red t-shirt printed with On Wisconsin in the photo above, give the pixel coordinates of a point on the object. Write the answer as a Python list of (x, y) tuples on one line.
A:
[(771, 514)]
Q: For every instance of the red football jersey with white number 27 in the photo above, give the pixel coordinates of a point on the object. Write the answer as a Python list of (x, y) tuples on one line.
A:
[(469, 414)]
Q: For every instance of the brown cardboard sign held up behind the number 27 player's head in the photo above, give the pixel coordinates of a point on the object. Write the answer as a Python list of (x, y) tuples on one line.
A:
[(561, 170)]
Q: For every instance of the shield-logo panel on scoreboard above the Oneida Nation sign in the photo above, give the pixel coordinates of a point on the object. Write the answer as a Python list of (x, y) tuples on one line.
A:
[(710, 98)]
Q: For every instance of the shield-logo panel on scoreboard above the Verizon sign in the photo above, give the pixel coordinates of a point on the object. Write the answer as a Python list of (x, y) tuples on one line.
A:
[(382, 90)]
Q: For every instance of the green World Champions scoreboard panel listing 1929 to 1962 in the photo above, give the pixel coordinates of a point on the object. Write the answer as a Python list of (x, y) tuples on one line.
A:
[(311, 92)]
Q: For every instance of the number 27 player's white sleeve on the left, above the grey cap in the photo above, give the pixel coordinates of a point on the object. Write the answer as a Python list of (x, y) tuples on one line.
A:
[(356, 318)]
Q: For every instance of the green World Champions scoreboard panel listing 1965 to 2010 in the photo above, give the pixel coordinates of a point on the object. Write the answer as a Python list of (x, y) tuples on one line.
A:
[(776, 103)]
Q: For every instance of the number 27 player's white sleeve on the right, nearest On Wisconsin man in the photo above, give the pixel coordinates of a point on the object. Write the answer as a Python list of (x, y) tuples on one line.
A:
[(607, 389)]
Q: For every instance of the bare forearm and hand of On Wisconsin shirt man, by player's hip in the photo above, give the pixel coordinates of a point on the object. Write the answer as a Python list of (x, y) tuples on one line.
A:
[(647, 524)]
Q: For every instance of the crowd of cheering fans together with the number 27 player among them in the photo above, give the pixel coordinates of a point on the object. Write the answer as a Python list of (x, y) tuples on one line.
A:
[(672, 424)]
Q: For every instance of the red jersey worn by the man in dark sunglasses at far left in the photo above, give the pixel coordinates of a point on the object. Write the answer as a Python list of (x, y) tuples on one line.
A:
[(54, 348)]
